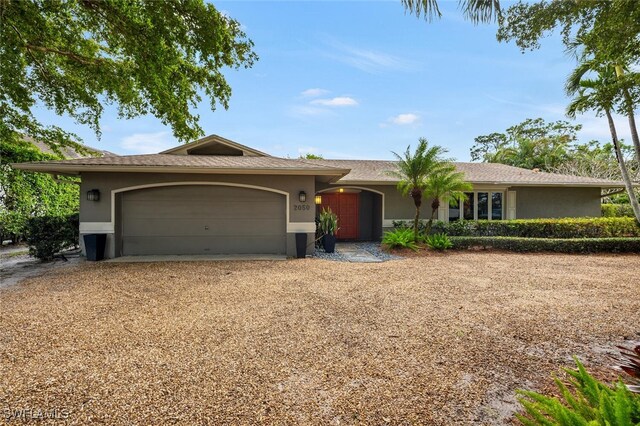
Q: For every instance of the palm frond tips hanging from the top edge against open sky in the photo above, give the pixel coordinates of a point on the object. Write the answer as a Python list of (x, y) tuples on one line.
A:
[(475, 10)]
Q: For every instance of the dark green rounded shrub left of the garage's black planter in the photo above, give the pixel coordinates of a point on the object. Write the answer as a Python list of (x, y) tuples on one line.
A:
[(48, 235)]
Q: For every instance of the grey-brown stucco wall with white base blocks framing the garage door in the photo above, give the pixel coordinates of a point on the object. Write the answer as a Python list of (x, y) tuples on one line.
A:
[(96, 217)]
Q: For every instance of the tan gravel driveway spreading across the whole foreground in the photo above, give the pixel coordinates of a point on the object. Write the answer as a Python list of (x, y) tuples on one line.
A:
[(441, 339)]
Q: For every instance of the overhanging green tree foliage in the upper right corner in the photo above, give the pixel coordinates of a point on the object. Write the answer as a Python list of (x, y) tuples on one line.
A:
[(602, 33)]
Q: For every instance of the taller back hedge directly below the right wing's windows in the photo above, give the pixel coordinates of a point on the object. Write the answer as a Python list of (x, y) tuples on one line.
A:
[(603, 227)]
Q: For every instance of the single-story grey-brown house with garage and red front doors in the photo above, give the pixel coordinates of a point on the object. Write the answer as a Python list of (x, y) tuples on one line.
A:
[(215, 196)]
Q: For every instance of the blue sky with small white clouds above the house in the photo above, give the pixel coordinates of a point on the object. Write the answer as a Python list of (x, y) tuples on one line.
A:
[(361, 79)]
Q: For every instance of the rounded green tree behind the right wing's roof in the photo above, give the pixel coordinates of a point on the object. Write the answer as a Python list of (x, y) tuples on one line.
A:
[(531, 144)]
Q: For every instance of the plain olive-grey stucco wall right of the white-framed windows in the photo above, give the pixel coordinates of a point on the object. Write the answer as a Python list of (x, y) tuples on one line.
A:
[(553, 202)]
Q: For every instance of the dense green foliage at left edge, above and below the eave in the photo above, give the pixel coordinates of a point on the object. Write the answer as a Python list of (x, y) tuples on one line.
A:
[(25, 194)]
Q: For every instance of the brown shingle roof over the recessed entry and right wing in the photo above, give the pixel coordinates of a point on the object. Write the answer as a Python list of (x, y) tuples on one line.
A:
[(377, 171)]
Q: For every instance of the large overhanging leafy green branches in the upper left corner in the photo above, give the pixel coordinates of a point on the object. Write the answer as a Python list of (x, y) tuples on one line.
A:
[(145, 56)]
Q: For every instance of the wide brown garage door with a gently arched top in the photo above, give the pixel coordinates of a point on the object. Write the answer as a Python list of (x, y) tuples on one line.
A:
[(202, 220)]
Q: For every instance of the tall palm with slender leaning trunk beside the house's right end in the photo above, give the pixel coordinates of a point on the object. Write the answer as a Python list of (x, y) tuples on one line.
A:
[(599, 95)]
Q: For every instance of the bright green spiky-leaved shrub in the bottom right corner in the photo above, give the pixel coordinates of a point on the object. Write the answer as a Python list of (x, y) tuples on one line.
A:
[(591, 403)]
